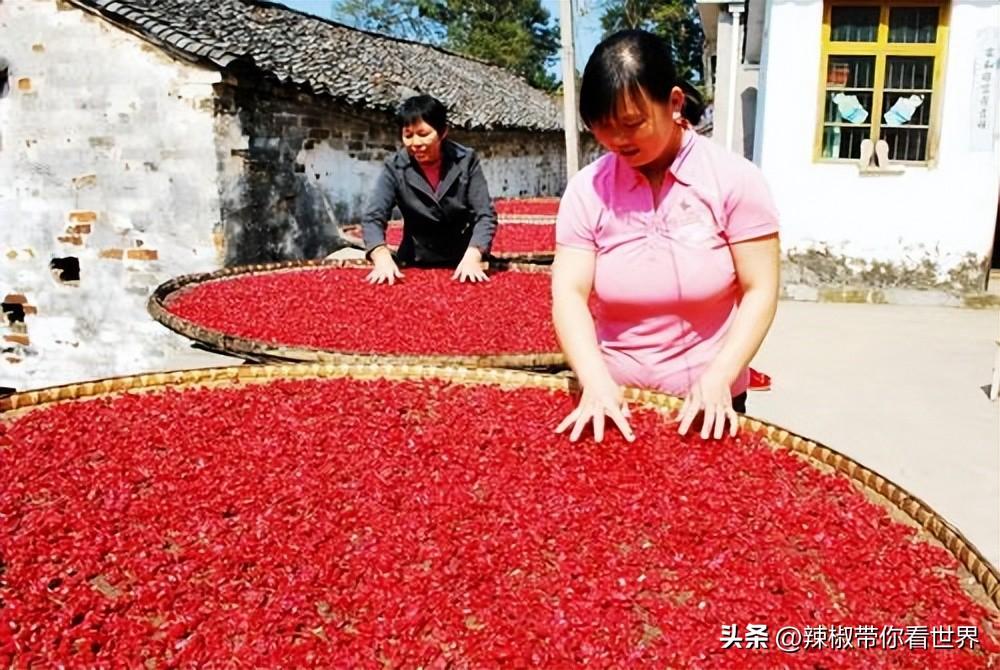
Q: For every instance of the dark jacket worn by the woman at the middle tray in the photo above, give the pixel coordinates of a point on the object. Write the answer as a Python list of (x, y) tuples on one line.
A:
[(438, 226)]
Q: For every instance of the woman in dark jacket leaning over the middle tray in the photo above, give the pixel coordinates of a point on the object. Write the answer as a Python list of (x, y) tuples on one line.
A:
[(438, 185)]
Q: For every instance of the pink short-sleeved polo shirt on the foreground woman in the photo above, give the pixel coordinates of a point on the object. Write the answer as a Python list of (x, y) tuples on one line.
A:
[(665, 285)]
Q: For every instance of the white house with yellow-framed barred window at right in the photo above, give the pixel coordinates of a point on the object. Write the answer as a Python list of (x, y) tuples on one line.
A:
[(922, 75)]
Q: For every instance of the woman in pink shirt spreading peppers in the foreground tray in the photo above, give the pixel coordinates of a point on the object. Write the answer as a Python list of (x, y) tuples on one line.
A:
[(676, 237)]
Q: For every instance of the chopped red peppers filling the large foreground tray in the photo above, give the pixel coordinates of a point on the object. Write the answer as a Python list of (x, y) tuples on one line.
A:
[(342, 523)]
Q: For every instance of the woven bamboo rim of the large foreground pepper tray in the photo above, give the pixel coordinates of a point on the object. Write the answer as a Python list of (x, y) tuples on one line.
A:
[(907, 508)]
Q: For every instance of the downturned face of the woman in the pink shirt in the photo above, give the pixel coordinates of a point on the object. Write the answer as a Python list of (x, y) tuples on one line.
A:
[(642, 130)]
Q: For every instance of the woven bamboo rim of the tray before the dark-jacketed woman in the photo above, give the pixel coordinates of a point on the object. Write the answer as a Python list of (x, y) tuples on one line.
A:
[(264, 352)]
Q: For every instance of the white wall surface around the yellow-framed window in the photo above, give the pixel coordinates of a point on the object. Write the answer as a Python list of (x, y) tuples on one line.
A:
[(939, 213)]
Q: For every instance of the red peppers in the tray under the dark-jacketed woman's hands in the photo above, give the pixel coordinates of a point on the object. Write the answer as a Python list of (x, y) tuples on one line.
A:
[(334, 308)]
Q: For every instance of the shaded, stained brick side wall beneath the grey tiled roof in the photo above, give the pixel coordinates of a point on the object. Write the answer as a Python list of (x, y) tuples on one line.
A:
[(302, 157)]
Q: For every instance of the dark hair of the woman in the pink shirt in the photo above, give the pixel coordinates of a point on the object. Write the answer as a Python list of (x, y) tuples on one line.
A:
[(623, 64)]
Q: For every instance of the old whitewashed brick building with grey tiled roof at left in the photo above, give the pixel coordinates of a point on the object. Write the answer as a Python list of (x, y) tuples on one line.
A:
[(145, 139)]
